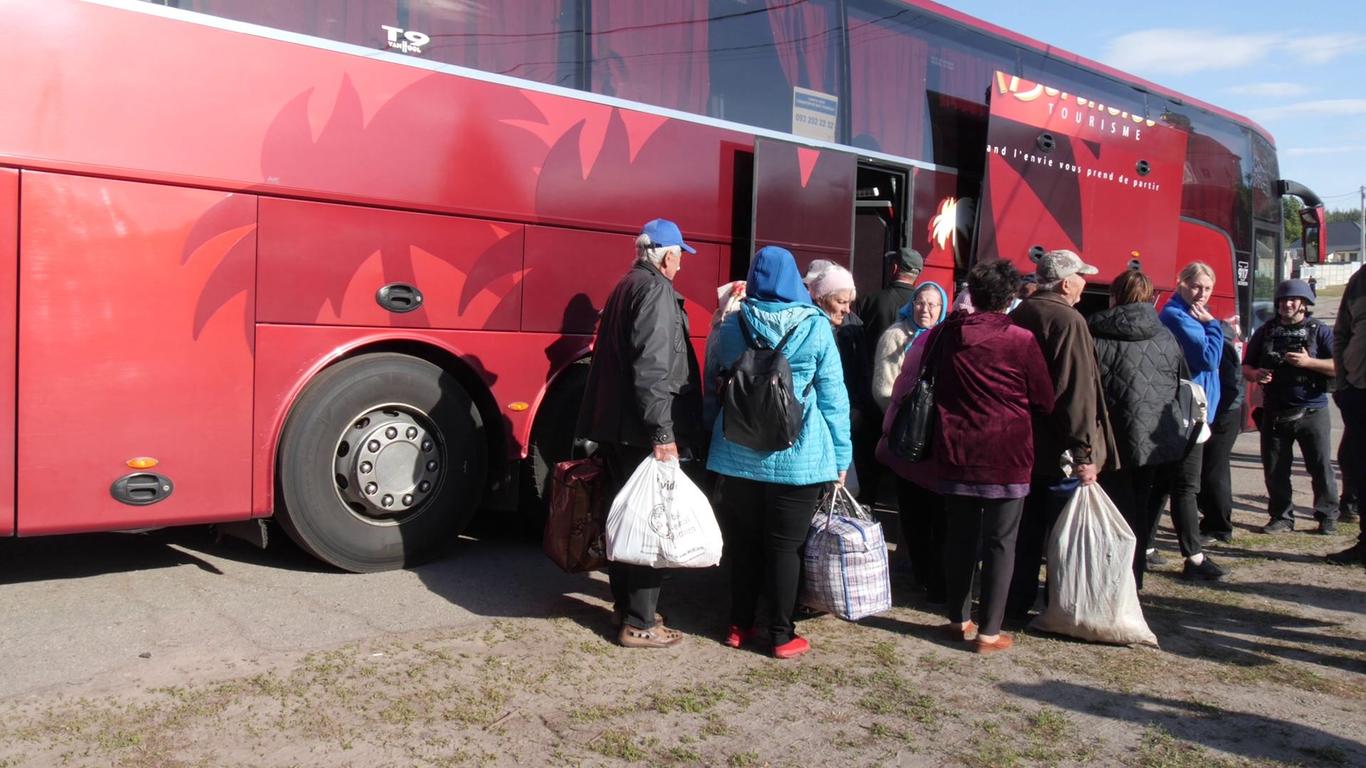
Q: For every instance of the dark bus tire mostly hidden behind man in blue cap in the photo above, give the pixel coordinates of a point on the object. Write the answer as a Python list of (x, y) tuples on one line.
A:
[(551, 443)]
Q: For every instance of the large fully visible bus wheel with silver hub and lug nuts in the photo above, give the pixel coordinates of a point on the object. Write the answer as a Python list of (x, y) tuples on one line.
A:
[(382, 464)]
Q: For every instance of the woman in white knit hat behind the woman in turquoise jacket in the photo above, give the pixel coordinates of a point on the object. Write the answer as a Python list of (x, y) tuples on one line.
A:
[(833, 290)]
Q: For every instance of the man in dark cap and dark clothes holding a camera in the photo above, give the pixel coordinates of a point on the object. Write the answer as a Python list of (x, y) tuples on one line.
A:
[(1292, 356)]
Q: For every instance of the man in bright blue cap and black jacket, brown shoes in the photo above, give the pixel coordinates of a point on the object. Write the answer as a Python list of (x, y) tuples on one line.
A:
[(644, 398)]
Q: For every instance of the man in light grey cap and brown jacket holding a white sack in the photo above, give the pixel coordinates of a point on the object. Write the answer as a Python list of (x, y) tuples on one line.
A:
[(1077, 435)]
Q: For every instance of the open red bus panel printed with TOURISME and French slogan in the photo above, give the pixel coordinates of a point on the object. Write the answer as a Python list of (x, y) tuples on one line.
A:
[(1069, 173)]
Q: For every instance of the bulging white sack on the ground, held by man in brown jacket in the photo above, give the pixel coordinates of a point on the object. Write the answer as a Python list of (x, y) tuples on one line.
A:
[(1091, 568)]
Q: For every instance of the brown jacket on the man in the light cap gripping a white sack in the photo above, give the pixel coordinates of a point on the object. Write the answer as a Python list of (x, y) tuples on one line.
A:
[(1080, 423)]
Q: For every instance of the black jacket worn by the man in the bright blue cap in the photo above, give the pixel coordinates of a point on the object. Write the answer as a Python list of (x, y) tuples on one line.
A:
[(644, 385)]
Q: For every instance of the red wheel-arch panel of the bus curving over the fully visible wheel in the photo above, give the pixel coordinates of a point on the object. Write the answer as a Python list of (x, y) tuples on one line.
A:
[(514, 367)]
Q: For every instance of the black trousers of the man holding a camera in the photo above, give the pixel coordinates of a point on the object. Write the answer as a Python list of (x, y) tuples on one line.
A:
[(1313, 435)]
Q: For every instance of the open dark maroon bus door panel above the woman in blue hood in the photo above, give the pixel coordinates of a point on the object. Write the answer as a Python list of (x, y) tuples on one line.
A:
[(804, 202)]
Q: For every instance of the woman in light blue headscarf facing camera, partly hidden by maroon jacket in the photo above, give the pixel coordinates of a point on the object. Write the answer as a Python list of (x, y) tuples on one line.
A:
[(920, 509)]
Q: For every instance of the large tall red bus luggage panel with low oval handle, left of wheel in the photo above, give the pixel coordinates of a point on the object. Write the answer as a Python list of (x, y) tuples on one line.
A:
[(136, 340)]
